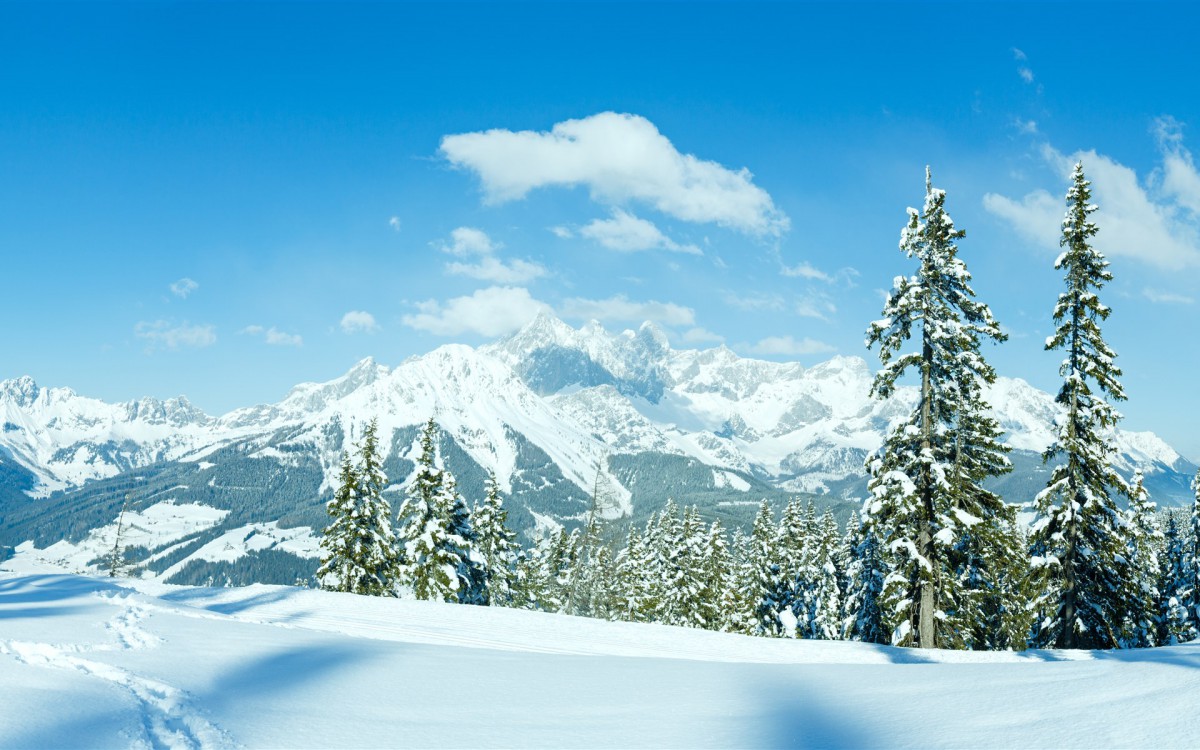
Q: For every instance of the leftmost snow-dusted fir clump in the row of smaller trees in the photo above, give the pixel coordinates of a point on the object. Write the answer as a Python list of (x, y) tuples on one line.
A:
[(359, 547)]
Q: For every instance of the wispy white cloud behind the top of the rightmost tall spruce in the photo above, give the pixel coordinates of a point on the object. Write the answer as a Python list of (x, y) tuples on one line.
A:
[(1154, 223)]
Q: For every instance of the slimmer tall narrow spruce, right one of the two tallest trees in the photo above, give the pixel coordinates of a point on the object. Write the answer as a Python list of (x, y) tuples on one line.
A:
[(1079, 537)]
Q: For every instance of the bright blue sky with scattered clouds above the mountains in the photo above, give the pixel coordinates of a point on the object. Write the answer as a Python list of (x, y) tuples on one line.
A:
[(226, 200)]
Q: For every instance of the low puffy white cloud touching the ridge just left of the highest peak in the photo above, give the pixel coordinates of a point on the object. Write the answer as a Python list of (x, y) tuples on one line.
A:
[(490, 313)]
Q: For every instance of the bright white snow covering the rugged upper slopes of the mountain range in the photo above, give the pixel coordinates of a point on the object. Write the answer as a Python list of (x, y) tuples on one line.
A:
[(803, 428)]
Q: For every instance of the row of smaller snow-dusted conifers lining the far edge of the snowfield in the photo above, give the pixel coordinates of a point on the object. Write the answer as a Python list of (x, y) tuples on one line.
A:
[(800, 578)]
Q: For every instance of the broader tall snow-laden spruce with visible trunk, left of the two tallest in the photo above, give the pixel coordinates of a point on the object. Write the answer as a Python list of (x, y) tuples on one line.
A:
[(925, 497)]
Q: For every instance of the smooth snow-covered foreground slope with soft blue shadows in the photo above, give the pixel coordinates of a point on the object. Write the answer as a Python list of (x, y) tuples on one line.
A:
[(100, 663)]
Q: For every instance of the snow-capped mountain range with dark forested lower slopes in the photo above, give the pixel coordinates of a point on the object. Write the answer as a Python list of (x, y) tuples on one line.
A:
[(553, 411)]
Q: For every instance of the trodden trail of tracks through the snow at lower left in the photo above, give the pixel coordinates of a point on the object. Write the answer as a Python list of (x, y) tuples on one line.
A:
[(167, 715)]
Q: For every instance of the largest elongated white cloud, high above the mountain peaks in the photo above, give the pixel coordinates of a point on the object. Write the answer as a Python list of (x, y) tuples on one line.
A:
[(619, 158)]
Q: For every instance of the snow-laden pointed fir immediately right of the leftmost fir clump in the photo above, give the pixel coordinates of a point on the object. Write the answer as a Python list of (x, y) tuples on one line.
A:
[(435, 555)]
